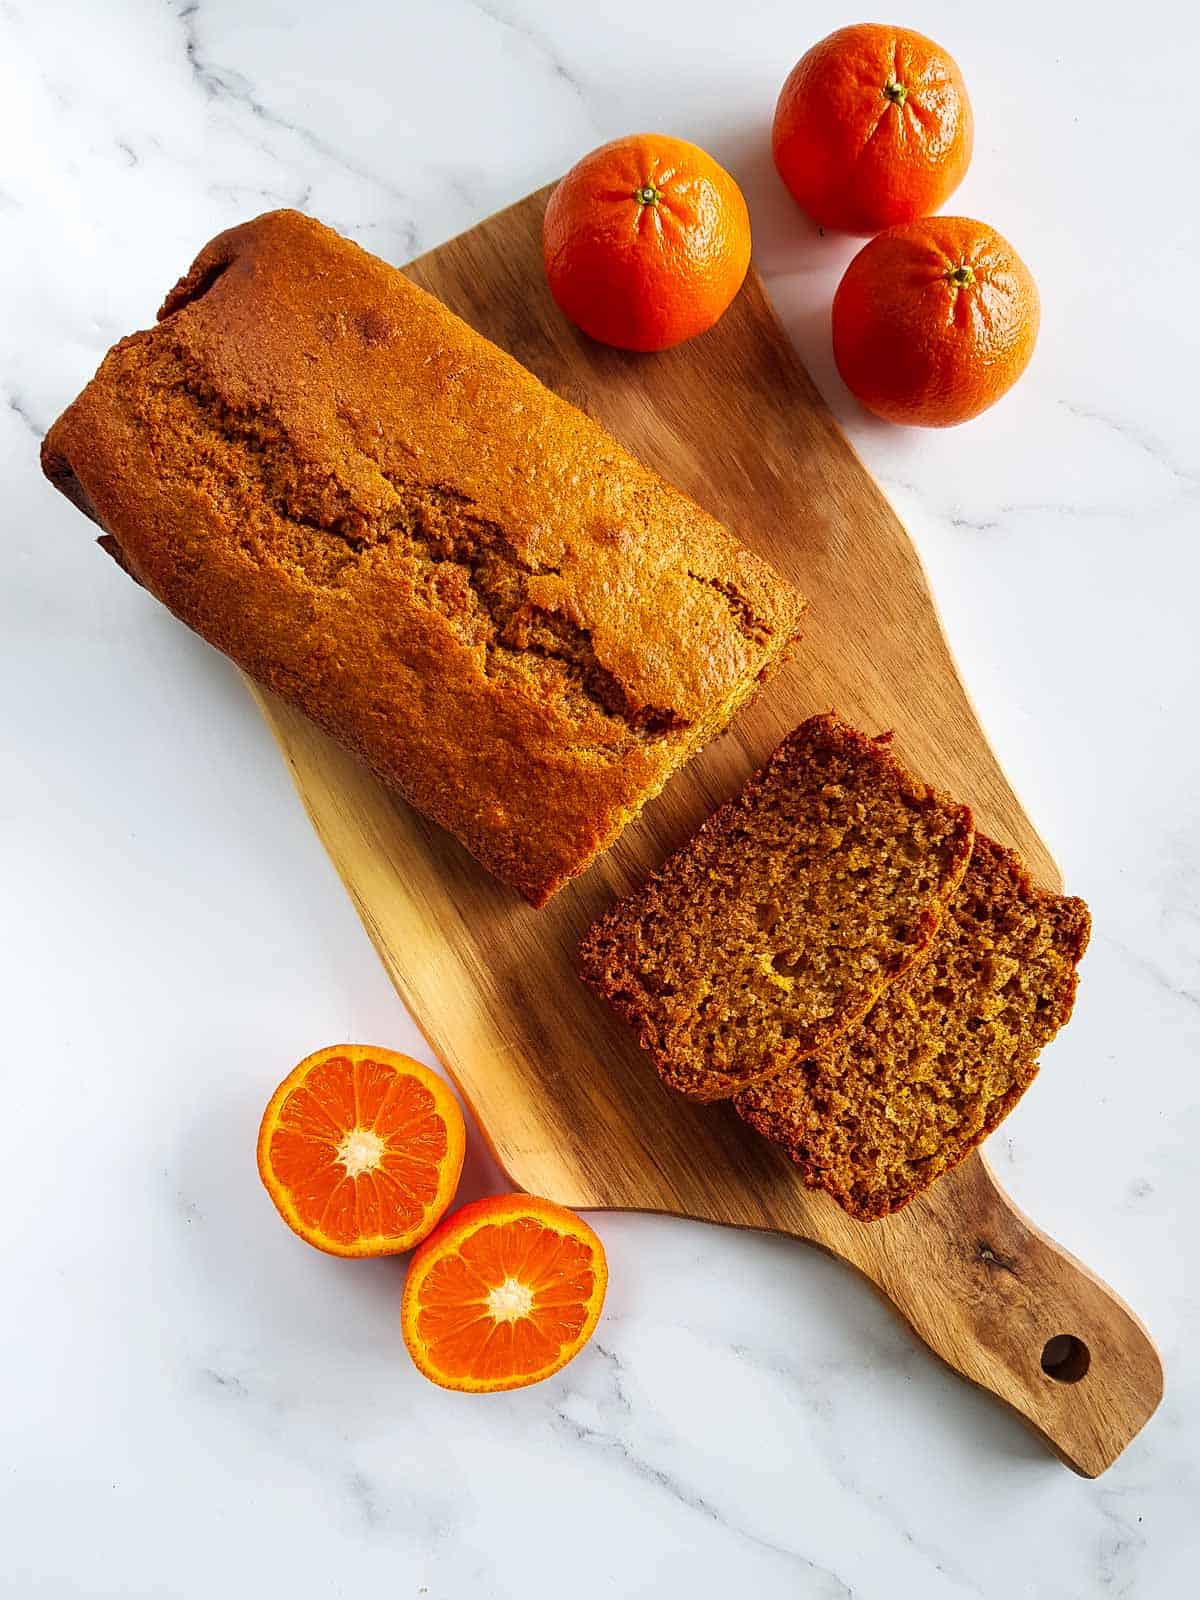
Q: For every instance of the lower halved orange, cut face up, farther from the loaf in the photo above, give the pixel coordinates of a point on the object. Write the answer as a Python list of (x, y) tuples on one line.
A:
[(503, 1295)]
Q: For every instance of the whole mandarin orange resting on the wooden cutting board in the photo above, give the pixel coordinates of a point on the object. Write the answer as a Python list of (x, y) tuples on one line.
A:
[(646, 242)]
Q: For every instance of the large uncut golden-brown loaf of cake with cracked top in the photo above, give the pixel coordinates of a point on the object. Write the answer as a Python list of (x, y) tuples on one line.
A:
[(391, 524)]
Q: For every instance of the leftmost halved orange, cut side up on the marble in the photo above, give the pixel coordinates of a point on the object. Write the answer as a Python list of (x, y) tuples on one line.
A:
[(362, 1151)]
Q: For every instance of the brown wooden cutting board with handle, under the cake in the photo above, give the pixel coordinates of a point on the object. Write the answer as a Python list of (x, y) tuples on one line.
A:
[(567, 1102)]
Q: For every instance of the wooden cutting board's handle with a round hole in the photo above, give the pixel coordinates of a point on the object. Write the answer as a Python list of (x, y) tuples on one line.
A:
[(1010, 1310)]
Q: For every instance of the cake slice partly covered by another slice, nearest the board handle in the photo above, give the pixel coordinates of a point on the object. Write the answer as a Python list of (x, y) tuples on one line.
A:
[(946, 1052)]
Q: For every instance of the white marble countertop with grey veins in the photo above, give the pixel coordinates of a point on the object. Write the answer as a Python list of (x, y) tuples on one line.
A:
[(191, 1402)]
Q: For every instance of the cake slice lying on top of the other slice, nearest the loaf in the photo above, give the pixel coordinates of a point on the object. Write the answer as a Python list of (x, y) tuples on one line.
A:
[(785, 918)]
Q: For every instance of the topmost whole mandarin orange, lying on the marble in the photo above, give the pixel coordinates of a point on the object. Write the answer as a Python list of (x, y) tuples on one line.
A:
[(873, 129)]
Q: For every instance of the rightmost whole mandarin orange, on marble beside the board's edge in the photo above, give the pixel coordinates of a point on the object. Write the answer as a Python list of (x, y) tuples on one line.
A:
[(935, 321)]
